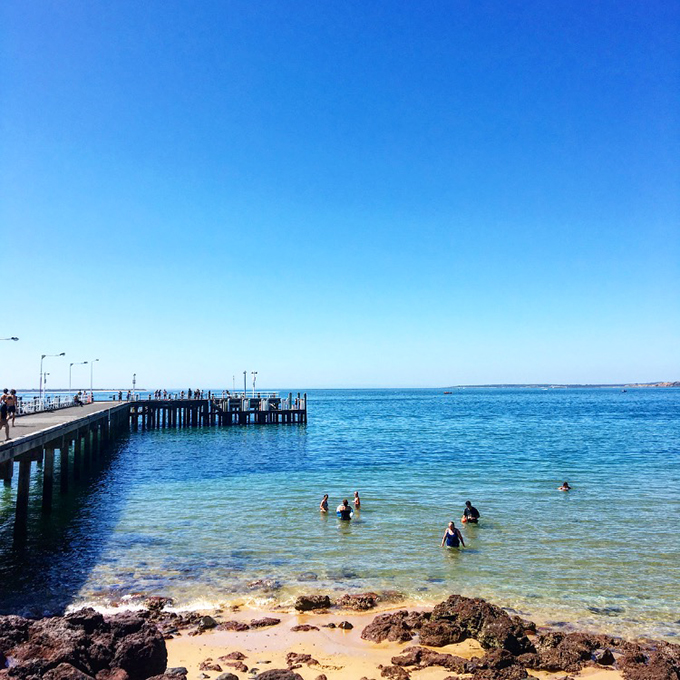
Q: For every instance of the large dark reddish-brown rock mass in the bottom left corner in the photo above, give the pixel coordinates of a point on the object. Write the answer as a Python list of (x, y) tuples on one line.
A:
[(83, 645)]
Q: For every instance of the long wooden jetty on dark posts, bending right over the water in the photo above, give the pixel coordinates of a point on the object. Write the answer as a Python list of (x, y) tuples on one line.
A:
[(71, 440)]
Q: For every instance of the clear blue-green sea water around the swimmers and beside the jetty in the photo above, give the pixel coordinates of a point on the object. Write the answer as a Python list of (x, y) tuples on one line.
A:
[(212, 516)]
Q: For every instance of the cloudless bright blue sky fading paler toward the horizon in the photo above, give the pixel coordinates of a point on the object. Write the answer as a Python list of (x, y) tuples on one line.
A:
[(360, 193)]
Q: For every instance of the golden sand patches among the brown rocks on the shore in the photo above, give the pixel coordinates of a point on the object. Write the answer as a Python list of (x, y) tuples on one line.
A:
[(341, 653)]
